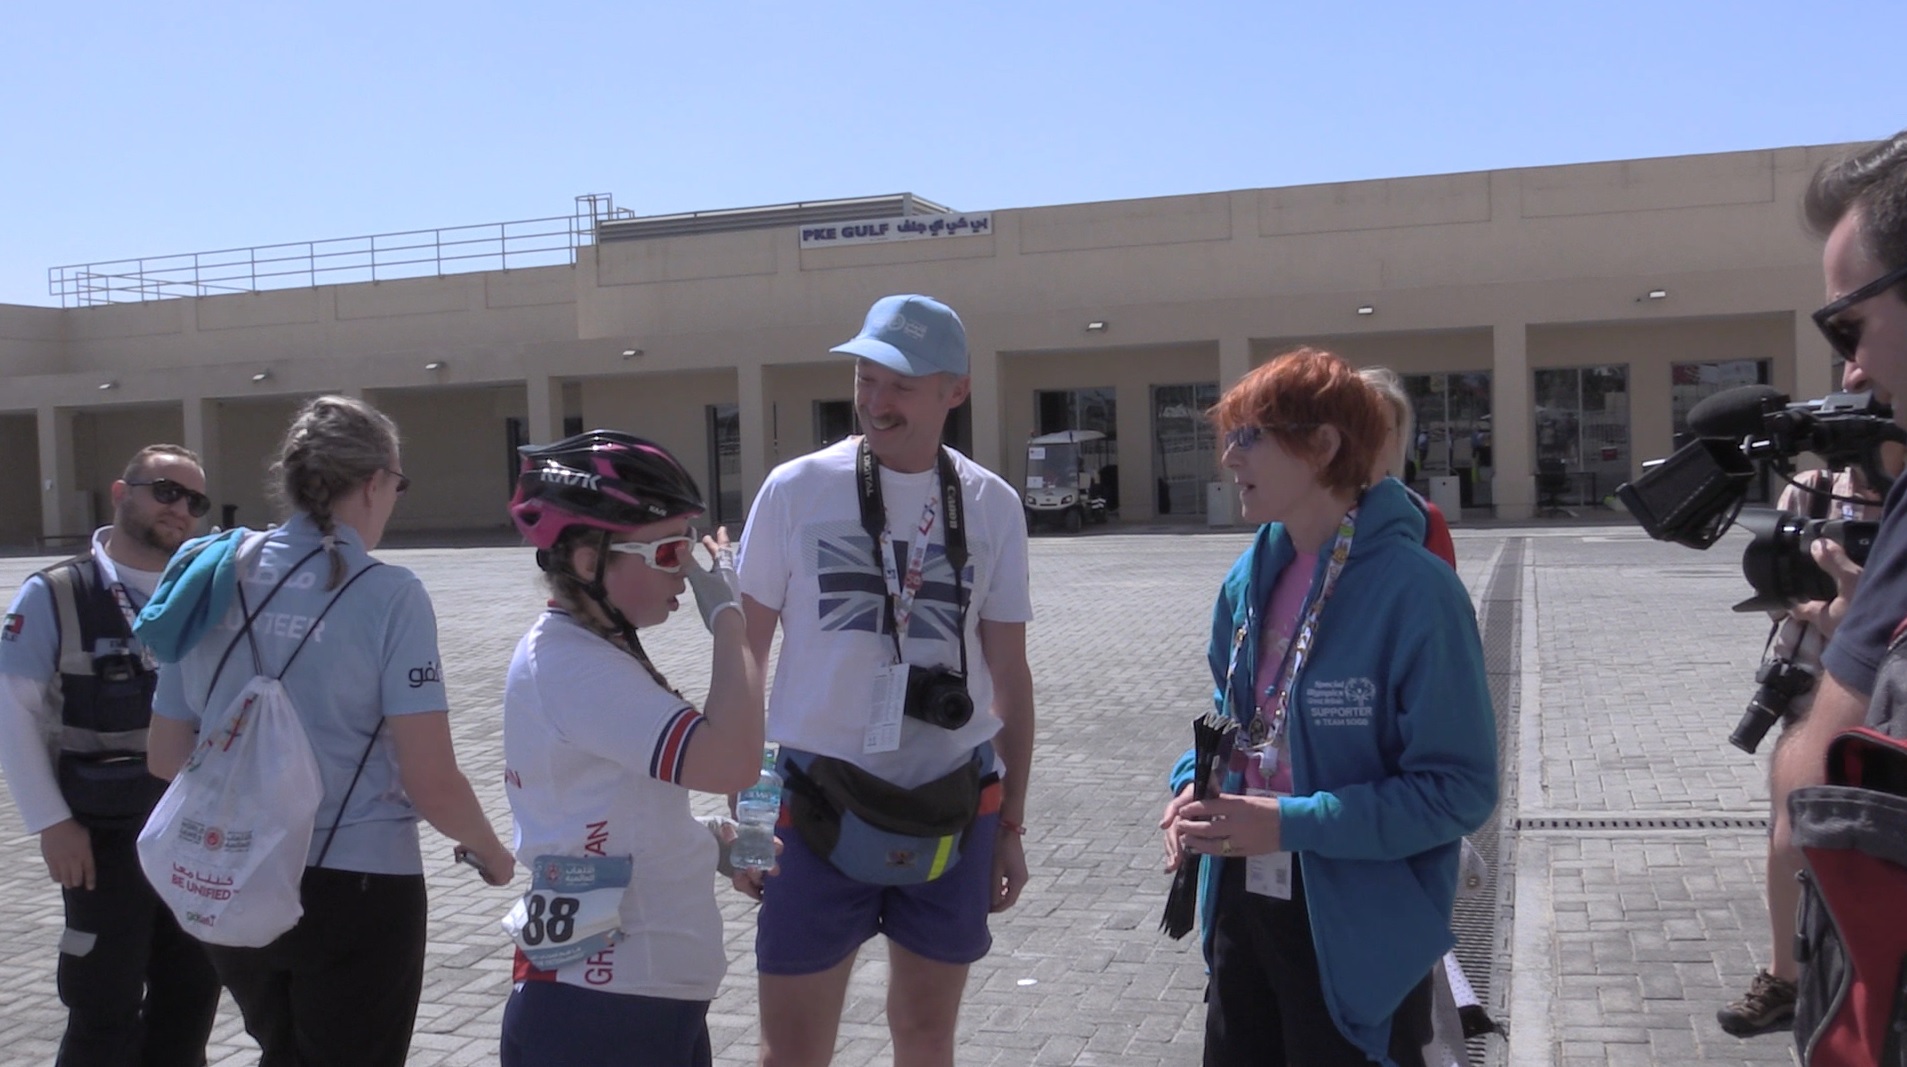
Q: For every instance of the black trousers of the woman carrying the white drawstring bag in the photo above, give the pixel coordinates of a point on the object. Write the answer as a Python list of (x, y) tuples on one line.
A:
[(340, 990)]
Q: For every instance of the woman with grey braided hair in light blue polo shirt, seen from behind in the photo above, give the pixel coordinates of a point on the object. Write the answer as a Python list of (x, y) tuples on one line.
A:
[(344, 984)]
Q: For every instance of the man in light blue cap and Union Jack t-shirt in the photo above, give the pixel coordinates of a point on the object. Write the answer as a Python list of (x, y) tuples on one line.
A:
[(897, 574)]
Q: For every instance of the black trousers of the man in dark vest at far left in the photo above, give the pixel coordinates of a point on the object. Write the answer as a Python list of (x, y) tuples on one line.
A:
[(138, 990)]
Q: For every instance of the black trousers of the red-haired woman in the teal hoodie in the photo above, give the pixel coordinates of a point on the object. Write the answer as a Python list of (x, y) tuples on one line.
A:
[(1265, 1003)]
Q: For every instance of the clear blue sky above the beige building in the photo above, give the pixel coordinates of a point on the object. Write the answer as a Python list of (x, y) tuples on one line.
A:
[(159, 129)]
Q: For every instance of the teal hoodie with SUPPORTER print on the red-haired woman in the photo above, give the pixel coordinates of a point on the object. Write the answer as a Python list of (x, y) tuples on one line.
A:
[(1393, 754)]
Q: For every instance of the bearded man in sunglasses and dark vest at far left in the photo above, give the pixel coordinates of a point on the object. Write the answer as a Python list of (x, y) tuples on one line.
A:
[(75, 702)]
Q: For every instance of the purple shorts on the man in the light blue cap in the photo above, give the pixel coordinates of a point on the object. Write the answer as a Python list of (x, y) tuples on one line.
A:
[(813, 917)]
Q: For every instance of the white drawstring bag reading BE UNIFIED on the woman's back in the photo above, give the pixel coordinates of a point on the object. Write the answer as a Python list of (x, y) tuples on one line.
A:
[(226, 847)]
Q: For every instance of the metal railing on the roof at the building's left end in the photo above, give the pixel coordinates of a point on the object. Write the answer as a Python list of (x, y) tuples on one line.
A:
[(377, 258)]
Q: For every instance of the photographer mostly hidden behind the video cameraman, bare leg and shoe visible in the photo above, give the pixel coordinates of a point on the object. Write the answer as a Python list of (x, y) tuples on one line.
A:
[(1799, 639)]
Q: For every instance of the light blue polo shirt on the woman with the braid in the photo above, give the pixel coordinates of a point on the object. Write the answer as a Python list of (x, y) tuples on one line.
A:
[(375, 656)]
